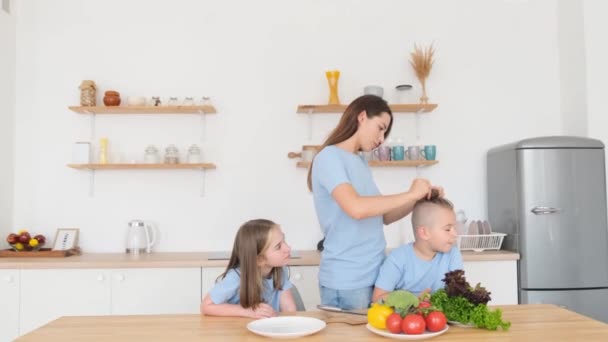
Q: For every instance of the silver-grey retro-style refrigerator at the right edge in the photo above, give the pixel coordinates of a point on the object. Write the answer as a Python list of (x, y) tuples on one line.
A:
[(549, 195)]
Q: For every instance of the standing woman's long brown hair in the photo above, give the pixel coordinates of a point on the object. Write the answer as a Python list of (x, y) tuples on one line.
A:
[(349, 123)]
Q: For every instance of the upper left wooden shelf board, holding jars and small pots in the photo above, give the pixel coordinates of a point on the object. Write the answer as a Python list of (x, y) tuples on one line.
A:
[(144, 110)]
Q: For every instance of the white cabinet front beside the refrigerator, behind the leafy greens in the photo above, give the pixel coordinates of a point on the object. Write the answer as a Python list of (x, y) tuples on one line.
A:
[(498, 277)]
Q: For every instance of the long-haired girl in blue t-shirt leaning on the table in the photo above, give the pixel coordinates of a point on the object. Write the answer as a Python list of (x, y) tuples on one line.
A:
[(255, 283)]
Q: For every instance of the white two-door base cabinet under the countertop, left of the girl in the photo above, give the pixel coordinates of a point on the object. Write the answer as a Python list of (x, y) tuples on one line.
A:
[(51, 293)]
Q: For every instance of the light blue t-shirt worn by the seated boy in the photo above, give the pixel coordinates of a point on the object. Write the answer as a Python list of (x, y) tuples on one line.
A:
[(403, 269)]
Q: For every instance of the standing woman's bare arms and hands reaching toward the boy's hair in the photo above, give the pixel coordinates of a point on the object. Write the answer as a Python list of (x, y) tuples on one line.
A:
[(360, 207)]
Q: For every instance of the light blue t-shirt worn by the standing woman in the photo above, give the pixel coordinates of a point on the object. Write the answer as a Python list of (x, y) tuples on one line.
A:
[(353, 249)]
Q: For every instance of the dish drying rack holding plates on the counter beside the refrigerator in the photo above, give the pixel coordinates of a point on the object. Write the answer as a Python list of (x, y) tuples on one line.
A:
[(479, 237)]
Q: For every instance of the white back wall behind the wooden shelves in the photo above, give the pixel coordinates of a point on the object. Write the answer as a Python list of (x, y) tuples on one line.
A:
[(495, 79)]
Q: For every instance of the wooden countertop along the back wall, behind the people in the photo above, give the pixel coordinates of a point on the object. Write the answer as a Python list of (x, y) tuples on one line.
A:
[(183, 260)]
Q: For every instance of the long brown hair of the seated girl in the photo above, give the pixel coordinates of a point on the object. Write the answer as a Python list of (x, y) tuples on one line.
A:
[(251, 241)]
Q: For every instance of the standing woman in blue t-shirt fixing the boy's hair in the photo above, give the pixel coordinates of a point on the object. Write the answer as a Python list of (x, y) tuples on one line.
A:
[(350, 209)]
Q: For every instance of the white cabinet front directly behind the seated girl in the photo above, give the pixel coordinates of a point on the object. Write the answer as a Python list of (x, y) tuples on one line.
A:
[(305, 278)]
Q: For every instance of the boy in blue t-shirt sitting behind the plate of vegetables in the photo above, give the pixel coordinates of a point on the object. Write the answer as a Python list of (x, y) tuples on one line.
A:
[(419, 266)]
